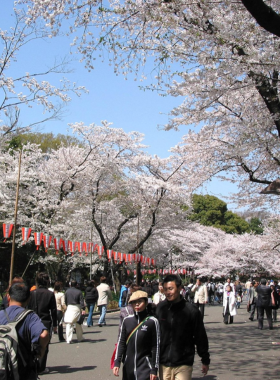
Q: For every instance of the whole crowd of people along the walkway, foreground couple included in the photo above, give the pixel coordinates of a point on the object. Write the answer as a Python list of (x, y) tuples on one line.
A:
[(161, 323)]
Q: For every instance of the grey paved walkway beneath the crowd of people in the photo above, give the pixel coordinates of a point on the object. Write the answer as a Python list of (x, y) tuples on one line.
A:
[(238, 351)]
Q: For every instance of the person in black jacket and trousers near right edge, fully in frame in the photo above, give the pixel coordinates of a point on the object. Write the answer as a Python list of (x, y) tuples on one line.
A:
[(264, 304)]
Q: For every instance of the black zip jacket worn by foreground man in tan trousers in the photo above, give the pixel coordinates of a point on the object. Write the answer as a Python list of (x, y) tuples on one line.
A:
[(182, 329)]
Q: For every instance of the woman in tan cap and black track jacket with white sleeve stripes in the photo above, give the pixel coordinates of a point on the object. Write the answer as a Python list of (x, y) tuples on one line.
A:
[(138, 344)]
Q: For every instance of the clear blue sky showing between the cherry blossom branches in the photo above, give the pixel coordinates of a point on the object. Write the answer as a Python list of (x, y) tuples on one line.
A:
[(110, 98)]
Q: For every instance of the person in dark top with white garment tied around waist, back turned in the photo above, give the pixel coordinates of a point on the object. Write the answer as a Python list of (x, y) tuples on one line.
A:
[(75, 308)]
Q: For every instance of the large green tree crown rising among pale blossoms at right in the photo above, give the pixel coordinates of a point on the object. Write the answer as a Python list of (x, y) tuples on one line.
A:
[(212, 211)]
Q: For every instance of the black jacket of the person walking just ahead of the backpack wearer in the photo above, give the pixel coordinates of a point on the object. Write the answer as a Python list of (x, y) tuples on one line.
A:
[(42, 301)]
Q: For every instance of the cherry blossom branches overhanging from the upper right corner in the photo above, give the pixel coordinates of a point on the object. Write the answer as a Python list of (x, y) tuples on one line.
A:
[(214, 55)]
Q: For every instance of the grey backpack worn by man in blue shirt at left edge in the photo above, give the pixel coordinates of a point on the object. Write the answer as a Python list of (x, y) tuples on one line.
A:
[(9, 348)]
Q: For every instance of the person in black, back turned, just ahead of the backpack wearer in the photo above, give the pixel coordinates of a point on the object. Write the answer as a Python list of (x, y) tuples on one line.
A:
[(42, 301)]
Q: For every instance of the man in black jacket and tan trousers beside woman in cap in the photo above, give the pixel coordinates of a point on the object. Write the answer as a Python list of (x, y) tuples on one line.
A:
[(182, 329)]
